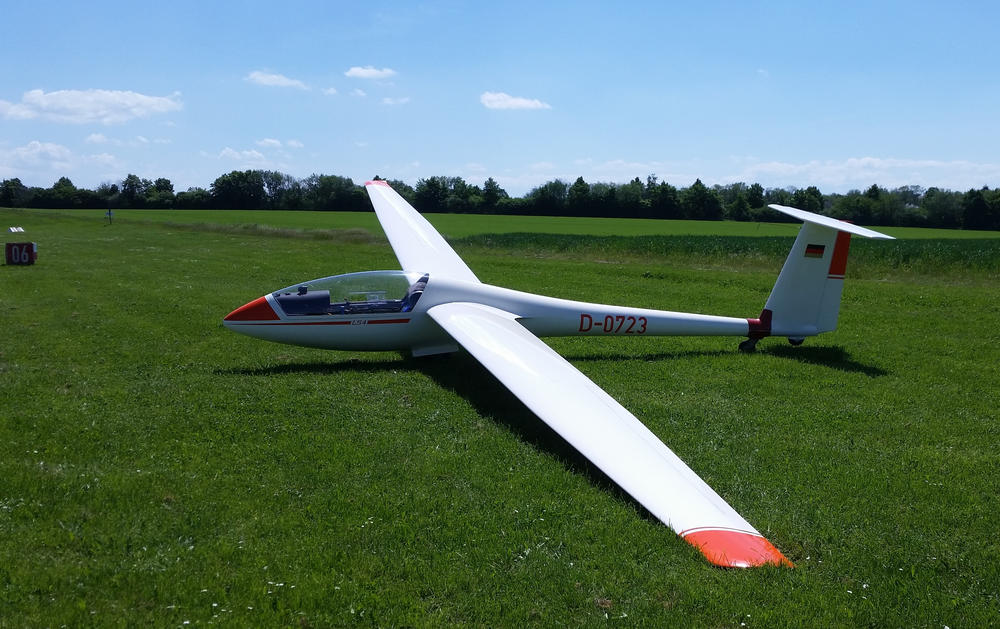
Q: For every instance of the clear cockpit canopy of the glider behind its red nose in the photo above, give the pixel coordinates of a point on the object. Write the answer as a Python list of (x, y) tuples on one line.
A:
[(369, 292)]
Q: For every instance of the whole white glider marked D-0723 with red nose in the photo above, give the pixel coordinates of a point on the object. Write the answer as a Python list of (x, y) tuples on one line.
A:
[(436, 304)]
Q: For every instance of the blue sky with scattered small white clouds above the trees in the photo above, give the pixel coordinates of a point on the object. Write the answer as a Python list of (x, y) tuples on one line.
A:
[(839, 95)]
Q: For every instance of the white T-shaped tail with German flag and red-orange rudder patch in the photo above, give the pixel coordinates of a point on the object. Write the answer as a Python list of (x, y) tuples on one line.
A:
[(805, 300)]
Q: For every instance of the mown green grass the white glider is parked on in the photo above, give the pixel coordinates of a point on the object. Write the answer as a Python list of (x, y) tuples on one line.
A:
[(158, 470)]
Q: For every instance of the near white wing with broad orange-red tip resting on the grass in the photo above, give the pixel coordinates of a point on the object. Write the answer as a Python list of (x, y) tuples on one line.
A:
[(608, 435)]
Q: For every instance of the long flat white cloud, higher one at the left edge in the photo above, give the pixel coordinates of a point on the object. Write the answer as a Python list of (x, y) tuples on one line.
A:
[(88, 106)]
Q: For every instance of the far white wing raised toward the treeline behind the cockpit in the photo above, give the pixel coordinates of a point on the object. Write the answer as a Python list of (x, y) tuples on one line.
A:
[(417, 245)]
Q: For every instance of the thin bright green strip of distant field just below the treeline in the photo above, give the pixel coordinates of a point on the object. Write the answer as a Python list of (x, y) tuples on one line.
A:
[(462, 225)]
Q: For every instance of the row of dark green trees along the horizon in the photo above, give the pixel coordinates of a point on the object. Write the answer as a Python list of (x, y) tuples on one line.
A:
[(908, 206)]
